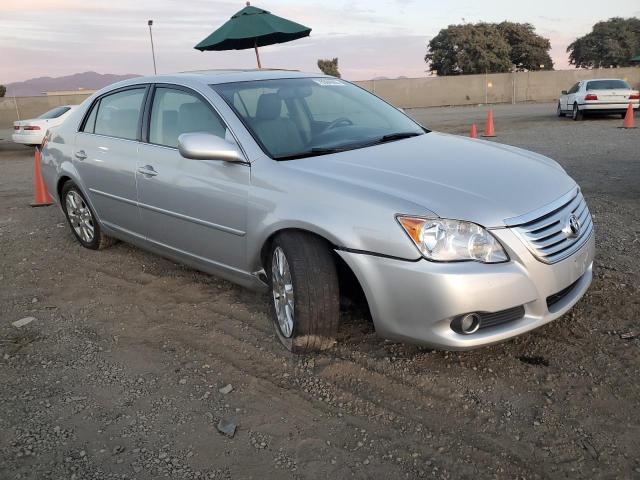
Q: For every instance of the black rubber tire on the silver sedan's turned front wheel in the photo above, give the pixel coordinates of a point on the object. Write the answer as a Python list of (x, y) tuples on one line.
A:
[(316, 298)]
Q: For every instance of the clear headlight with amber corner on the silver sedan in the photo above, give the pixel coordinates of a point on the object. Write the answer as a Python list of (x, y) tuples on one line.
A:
[(443, 240)]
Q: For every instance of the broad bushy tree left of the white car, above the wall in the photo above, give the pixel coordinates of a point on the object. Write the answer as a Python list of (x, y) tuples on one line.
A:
[(487, 47)]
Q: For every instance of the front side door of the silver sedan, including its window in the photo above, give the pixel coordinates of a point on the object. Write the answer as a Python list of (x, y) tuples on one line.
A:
[(195, 208)]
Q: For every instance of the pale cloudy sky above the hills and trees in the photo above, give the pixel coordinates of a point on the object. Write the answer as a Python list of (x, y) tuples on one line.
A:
[(372, 38)]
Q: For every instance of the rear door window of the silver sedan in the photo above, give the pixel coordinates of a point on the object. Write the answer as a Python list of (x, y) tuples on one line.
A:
[(118, 114)]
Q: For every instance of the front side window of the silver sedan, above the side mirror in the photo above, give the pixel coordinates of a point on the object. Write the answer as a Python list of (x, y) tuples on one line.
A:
[(175, 112)]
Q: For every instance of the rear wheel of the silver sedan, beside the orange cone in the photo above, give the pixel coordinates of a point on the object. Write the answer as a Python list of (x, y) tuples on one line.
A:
[(82, 219)]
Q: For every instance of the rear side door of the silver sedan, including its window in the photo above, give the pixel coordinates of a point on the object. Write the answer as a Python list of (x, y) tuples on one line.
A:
[(105, 155)]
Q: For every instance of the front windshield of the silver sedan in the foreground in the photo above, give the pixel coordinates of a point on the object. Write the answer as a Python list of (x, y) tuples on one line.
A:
[(302, 117)]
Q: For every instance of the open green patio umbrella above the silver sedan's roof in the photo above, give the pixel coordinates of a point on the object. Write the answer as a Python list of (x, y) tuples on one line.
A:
[(253, 27)]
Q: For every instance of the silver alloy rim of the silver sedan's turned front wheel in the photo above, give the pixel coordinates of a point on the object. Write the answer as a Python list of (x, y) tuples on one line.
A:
[(282, 289)]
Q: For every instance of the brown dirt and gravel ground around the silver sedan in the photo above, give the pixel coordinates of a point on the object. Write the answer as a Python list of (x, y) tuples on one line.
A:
[(119, 375)]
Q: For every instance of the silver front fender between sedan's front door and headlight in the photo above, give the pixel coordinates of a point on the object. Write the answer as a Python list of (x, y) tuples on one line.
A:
[(347, 215)]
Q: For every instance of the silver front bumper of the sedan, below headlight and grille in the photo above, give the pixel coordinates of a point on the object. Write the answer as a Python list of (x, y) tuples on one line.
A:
[(416, 301)]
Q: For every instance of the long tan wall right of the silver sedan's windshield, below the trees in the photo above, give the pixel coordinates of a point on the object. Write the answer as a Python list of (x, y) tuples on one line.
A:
[(470, 89)]
